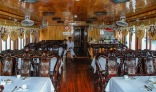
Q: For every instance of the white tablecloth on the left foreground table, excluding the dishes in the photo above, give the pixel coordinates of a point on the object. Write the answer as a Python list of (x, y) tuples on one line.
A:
[(35, 84)]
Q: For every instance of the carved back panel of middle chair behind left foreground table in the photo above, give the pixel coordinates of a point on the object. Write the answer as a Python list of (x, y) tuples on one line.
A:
[(25, 67)]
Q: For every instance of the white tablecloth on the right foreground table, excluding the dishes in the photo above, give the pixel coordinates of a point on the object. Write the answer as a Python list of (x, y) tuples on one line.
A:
[(119, 84)]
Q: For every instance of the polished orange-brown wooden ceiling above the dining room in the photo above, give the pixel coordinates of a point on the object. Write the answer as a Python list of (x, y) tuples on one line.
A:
[(83, 9)]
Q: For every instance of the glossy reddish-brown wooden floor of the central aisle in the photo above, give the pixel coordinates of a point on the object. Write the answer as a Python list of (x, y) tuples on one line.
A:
[(75, 77)]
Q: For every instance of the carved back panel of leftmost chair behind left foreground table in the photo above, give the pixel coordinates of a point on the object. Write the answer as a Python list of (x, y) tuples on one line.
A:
[(8, 65)]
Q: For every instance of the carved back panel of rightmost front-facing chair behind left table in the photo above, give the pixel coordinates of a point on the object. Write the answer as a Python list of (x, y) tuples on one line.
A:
[(44, 67)]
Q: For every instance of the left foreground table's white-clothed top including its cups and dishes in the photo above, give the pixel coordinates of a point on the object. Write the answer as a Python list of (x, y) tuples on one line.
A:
[(25, 84)]
